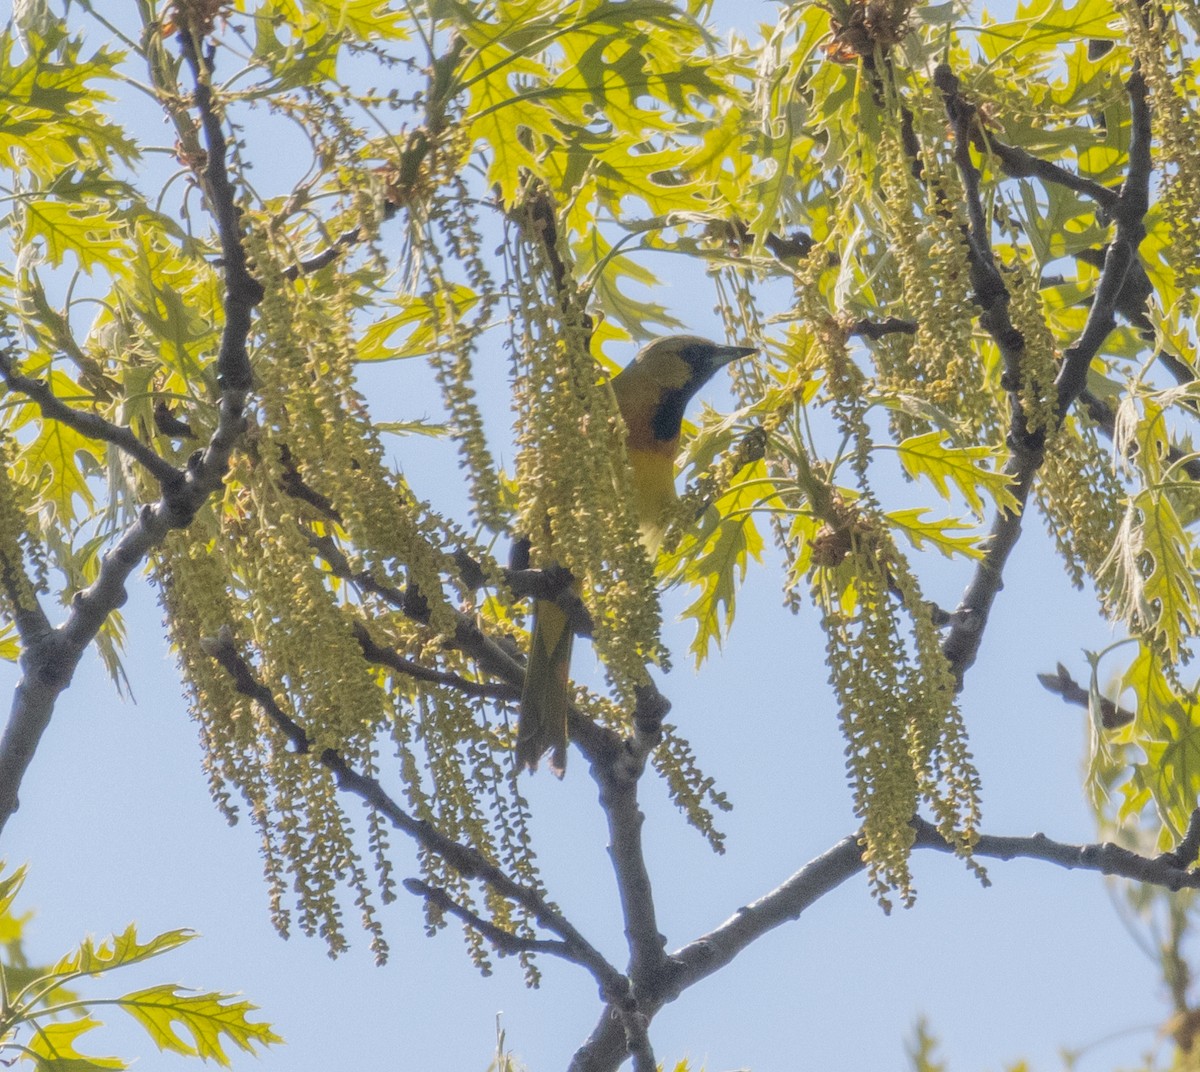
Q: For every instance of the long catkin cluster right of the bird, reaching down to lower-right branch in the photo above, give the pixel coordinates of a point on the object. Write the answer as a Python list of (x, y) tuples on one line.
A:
[(907, 741)]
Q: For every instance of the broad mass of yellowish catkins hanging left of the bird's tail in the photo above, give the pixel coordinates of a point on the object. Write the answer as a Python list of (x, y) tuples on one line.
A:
[(314, 532)]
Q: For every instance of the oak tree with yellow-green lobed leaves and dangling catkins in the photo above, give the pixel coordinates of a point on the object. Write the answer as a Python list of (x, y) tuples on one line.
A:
[(965, 244)]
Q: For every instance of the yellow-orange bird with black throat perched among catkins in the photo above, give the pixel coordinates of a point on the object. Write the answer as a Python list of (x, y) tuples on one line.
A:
[(652, 393)]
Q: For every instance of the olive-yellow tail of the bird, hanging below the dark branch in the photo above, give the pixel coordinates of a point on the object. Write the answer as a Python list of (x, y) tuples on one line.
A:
[(547, 696)]
